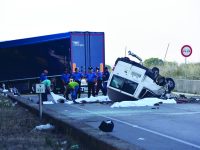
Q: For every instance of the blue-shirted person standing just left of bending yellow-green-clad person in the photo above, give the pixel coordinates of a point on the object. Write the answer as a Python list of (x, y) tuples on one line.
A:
[(65, 80)]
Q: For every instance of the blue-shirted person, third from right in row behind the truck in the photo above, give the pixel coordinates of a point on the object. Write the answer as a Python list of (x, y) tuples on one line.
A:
[(91, 79)]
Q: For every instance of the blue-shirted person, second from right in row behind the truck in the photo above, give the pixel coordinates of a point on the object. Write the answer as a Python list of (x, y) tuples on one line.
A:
[(99, 81)]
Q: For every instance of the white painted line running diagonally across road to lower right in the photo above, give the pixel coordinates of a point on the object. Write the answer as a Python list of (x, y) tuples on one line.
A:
[(142, 128)]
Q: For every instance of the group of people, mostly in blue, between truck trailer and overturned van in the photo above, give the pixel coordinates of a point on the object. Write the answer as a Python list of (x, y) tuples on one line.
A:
[(71, 82)]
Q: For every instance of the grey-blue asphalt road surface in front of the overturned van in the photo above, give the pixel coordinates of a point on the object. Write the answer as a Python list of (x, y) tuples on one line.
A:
[(172, 126)]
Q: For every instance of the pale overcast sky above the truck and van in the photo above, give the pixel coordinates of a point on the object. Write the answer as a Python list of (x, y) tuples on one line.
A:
[(142, 26)]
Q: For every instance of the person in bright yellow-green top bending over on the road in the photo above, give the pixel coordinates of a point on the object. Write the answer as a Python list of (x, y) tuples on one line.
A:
[(73, 88)]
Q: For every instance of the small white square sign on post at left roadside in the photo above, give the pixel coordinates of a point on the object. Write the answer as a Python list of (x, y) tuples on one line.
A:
[(40, 88)]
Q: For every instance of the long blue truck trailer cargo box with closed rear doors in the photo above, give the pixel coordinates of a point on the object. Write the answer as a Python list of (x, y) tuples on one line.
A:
[(25, 59)]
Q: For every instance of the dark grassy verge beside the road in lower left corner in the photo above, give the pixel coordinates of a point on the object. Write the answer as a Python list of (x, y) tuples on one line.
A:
[(17, 130)]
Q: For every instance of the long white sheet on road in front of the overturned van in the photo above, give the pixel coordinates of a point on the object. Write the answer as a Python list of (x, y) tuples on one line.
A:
[(142, 102)]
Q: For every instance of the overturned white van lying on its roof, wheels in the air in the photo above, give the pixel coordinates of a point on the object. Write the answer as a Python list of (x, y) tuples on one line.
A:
[(131, 80)]
